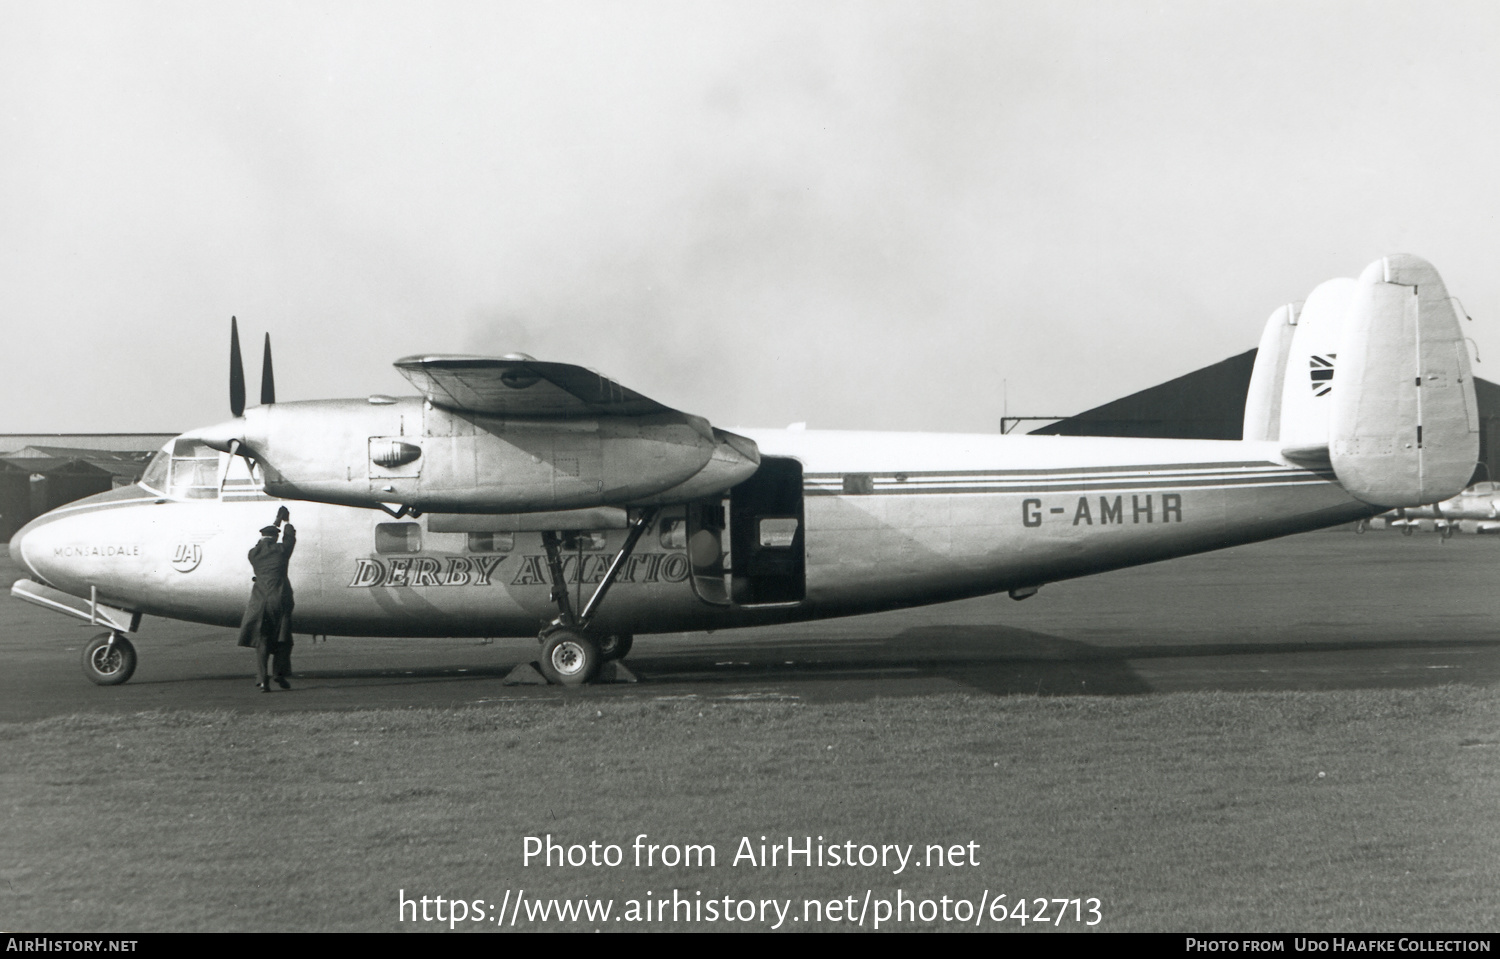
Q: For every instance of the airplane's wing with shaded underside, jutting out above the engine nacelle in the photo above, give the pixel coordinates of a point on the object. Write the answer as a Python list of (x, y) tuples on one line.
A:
[(521, 386)]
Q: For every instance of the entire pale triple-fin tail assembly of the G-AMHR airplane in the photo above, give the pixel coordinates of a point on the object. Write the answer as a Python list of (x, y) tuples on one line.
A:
[(1370, 379)]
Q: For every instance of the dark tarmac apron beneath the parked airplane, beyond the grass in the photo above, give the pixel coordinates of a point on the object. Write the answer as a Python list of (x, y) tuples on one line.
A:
[(1316, 612)]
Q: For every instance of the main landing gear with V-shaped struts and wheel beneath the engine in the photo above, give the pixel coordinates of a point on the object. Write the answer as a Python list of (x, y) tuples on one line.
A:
[(572, 654)]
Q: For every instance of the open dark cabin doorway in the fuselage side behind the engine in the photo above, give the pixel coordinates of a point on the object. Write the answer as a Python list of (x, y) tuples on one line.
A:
[(767, 562)]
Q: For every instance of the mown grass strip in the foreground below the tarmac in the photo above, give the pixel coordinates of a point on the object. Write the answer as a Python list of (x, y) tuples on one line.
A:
[(1300, 811)]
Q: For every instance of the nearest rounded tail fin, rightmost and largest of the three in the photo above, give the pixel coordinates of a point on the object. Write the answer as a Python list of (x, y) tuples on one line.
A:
[(1405, 427)]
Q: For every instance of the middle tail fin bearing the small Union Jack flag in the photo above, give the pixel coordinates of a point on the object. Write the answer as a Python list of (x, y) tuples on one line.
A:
[(1310, 382)]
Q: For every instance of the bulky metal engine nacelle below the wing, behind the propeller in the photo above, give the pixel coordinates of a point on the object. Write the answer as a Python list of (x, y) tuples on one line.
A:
[(407, 452)]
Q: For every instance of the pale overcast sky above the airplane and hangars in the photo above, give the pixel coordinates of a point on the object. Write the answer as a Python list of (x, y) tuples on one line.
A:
[(859, 215)]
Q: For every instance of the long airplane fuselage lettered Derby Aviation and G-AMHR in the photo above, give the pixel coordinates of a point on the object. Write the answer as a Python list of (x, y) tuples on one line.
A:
[(859, 523)]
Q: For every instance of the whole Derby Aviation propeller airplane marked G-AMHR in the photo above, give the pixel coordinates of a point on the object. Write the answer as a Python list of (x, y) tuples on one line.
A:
[(518, 498)]
